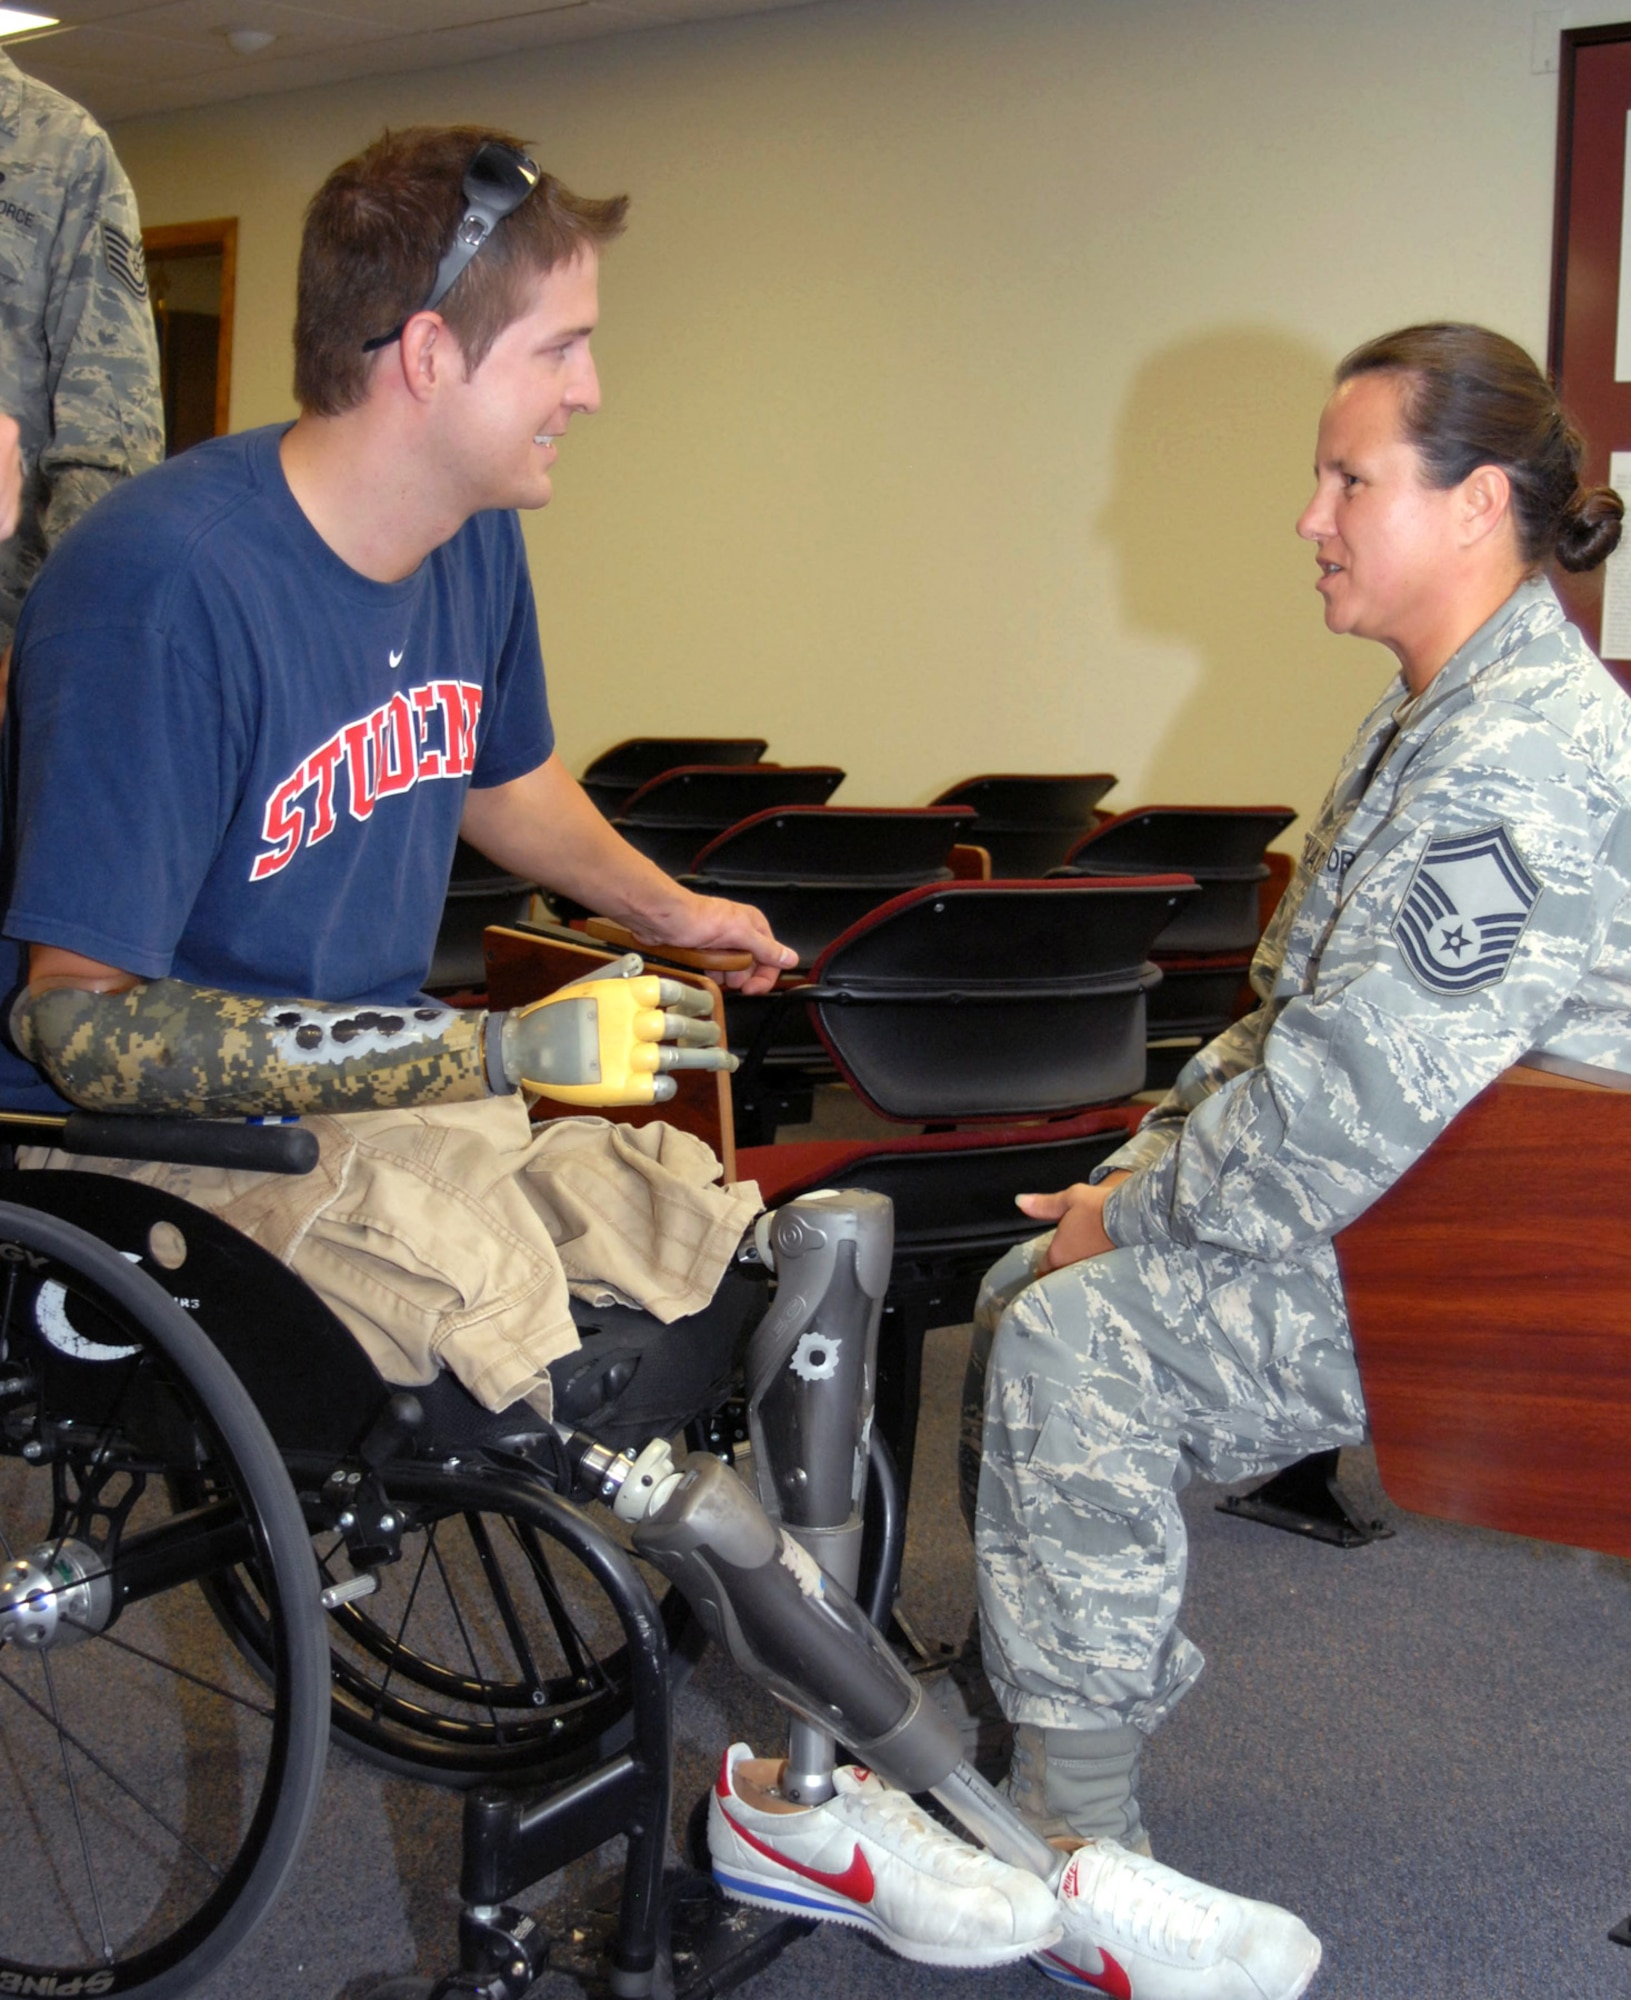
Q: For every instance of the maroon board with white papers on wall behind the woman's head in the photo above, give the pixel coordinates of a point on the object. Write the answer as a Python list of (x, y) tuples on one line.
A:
[(1590, 347)]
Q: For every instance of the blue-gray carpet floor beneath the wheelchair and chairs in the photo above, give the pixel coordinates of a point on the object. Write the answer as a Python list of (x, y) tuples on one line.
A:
[(1422, 1747)]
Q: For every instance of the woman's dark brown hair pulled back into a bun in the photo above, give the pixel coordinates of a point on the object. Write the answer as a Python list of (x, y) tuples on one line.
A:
[(1476, 399)]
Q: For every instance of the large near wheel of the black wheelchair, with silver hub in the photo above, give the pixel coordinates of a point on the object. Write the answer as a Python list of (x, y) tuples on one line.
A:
[(157, 1789)]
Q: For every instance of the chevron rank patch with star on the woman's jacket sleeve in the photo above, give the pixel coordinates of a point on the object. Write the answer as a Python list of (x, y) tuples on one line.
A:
[(1466, 911)]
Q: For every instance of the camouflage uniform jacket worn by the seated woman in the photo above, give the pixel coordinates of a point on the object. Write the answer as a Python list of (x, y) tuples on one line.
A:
[(1464, 901)]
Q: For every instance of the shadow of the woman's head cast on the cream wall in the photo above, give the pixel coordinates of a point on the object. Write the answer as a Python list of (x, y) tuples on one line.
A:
[(1214, 461)]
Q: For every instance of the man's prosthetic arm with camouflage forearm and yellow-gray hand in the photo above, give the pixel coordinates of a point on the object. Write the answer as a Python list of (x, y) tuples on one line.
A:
[(167, 1047)]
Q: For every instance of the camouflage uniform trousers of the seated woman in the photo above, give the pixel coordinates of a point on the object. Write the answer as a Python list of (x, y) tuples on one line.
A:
[(1106, 1387)]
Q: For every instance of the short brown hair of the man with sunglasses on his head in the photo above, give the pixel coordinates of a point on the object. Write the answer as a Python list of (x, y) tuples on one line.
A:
[(373, 243)]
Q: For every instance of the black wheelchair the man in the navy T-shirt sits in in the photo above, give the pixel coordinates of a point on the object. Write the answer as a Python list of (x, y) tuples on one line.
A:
[(225, 1537)]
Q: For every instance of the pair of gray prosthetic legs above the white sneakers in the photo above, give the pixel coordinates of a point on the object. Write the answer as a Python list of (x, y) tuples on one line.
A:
[(773, 1577)]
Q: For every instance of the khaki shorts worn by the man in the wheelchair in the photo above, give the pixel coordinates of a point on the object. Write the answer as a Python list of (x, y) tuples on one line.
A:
[(455, 1237)]
